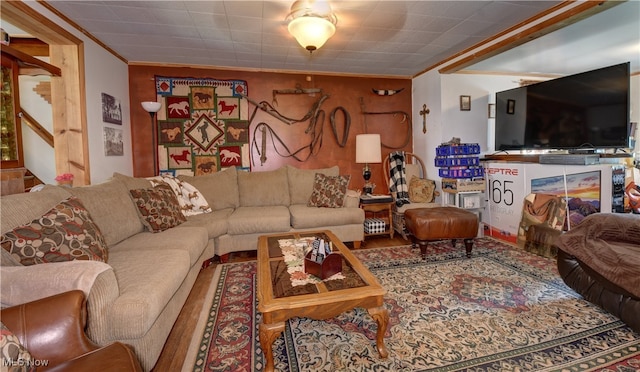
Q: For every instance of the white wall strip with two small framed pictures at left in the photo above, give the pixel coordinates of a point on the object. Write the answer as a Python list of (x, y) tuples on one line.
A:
[(103, 73)]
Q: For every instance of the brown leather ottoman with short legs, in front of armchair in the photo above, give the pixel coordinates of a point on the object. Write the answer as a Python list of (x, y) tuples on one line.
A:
[(431, 224)]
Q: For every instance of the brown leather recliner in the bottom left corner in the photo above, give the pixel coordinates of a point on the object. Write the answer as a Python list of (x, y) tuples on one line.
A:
[(52, 330)]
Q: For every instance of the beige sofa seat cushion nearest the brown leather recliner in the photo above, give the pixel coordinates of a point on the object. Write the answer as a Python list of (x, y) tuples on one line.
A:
[(147, 281)]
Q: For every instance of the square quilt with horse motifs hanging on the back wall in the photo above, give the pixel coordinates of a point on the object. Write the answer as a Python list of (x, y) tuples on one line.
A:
[(203, 125)]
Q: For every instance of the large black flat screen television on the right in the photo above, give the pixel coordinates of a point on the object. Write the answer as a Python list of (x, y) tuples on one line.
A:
[(586, 111)]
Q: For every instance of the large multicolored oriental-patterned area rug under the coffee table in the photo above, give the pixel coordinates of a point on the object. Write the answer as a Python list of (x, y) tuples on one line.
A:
[(503, 309)]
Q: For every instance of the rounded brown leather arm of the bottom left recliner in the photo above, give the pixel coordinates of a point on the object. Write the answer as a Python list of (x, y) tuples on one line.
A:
[(51, 328)]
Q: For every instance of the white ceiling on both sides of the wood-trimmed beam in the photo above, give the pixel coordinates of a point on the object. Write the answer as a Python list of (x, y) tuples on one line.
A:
[(389, 38)]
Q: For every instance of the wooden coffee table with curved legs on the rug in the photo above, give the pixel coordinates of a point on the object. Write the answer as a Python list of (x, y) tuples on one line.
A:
[(279, 301)]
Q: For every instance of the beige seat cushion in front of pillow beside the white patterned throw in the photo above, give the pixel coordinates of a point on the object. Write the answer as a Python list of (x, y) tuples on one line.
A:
[(192, 240)]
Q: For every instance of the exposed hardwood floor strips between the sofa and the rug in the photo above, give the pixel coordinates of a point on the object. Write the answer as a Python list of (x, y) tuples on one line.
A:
[(177, 344)]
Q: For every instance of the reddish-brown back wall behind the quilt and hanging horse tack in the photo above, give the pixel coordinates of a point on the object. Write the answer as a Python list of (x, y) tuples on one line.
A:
[(343, 91)]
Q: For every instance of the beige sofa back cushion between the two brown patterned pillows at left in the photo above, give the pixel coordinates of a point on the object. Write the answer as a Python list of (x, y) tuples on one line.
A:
[(111, 208)]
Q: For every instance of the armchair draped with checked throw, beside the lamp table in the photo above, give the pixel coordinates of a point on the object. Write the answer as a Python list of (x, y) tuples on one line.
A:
[(414, 166)]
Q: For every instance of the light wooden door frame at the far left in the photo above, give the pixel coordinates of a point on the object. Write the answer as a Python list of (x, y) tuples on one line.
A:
[(68, 91)]
